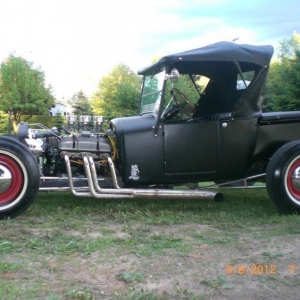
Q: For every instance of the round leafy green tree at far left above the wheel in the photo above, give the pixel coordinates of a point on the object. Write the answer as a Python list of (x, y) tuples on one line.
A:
[(22, 89)]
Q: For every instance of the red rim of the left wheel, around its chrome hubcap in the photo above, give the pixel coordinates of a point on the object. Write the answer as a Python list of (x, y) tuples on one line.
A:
[(16, 184)]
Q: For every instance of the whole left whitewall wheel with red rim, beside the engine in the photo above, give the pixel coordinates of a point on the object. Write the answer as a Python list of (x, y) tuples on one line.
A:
[(19, 178)]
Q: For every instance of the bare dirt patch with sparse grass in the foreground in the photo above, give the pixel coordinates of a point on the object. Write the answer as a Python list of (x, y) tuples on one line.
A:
[(200, 261)]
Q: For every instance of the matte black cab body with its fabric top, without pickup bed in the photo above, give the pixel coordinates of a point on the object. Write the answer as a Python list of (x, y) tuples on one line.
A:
[(221, 134)]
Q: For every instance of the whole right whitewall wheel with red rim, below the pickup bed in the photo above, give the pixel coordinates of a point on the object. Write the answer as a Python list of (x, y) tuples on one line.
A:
[(283, 177)]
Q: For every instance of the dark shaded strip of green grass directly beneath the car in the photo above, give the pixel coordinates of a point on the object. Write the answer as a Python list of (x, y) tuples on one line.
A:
[(246, 206)]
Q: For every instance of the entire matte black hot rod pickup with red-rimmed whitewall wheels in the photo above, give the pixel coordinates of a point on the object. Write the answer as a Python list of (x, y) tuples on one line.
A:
[(200, 120)]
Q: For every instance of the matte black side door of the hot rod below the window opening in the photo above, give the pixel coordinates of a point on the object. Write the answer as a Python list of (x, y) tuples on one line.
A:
[(190, 147)]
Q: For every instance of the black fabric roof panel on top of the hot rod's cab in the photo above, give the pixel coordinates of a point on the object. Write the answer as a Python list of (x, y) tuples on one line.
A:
[(222, 51)]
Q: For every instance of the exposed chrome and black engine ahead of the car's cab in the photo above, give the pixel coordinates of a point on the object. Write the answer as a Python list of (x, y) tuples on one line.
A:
[(50, 146)]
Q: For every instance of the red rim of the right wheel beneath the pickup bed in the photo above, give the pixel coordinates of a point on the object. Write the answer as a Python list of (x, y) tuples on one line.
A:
[(292, 172)]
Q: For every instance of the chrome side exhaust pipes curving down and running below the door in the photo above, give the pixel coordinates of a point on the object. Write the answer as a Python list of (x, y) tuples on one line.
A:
[(97, 192)]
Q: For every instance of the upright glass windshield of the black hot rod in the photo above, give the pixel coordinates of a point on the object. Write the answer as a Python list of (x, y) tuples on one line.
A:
[(151, 93)]
